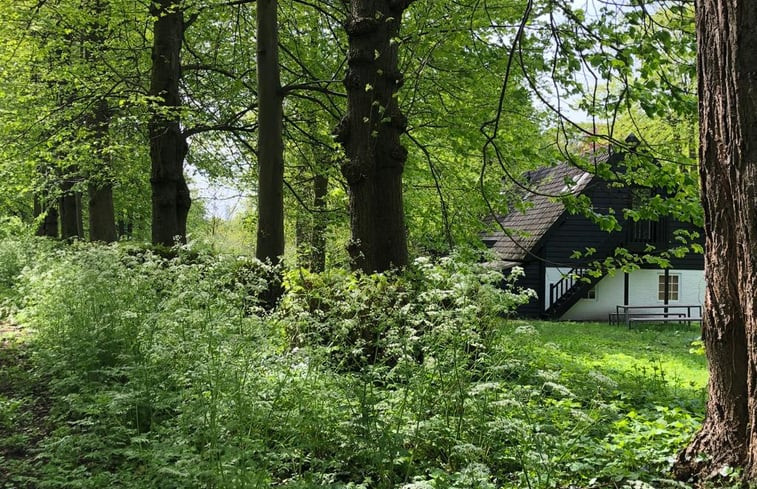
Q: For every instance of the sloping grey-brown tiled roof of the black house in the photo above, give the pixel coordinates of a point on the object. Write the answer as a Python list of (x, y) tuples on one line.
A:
[(526, 228)]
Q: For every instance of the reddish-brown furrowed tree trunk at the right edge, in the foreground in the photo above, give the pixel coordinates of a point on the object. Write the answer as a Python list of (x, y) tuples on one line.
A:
[(727, 45)]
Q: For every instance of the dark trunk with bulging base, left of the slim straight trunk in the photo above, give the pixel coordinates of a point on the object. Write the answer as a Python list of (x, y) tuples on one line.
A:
[(168, 146)]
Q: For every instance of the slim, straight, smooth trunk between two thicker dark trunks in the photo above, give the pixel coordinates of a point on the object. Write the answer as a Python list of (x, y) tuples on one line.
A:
[(270, 237)]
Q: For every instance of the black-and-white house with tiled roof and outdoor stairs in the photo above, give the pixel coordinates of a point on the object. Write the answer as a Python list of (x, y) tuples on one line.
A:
[(544, 237)]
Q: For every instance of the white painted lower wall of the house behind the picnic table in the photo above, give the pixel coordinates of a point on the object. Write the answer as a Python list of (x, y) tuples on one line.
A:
[(642, 285)]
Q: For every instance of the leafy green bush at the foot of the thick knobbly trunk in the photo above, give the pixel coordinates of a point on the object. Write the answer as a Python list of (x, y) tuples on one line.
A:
[(385, 318)]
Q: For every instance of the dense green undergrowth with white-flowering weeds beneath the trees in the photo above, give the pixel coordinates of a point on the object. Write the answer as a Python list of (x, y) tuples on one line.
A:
[(163, 373)]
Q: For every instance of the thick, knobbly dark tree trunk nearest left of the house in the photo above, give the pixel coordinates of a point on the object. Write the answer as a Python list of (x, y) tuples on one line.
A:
[(370, 134)]
